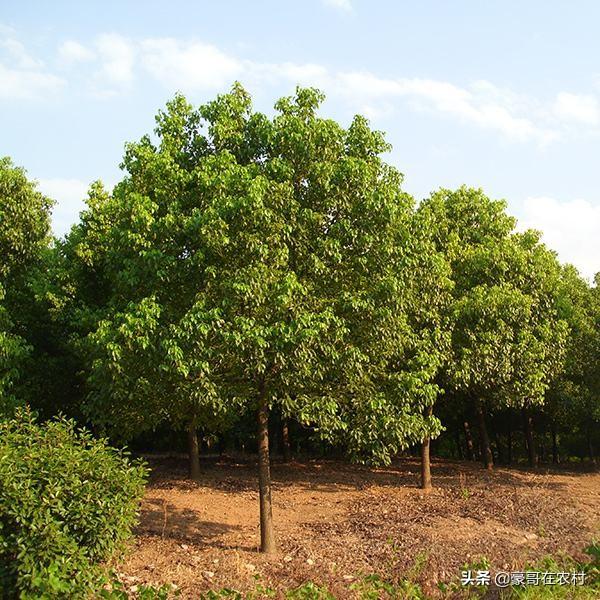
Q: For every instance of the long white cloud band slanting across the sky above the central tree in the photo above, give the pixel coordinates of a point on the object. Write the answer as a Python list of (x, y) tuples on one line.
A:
[(195, 66)]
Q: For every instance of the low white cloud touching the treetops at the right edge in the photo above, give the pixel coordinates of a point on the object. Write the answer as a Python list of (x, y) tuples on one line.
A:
[(569, 227)]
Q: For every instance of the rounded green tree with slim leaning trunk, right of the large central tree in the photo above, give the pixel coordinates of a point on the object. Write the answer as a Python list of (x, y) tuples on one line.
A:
[(507, 337)]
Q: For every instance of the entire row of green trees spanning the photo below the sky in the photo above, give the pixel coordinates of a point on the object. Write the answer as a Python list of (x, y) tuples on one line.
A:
[(256, 278)]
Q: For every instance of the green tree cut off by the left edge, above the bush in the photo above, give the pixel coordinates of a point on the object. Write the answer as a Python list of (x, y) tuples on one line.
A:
[(24, 235)]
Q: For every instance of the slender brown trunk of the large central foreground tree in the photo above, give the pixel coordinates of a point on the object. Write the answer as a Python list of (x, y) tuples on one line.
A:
[(267, 533)]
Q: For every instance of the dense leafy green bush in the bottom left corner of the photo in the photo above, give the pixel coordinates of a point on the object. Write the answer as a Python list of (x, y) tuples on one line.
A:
[(67, 504)]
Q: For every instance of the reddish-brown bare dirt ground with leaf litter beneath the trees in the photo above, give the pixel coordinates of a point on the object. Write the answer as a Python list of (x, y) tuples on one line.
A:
[(336, 522)]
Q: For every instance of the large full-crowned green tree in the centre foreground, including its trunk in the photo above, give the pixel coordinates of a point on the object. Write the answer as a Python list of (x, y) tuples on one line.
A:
[(257, 263)]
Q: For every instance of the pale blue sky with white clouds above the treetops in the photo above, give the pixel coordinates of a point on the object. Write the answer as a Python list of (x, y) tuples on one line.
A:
[(499, 95)]
